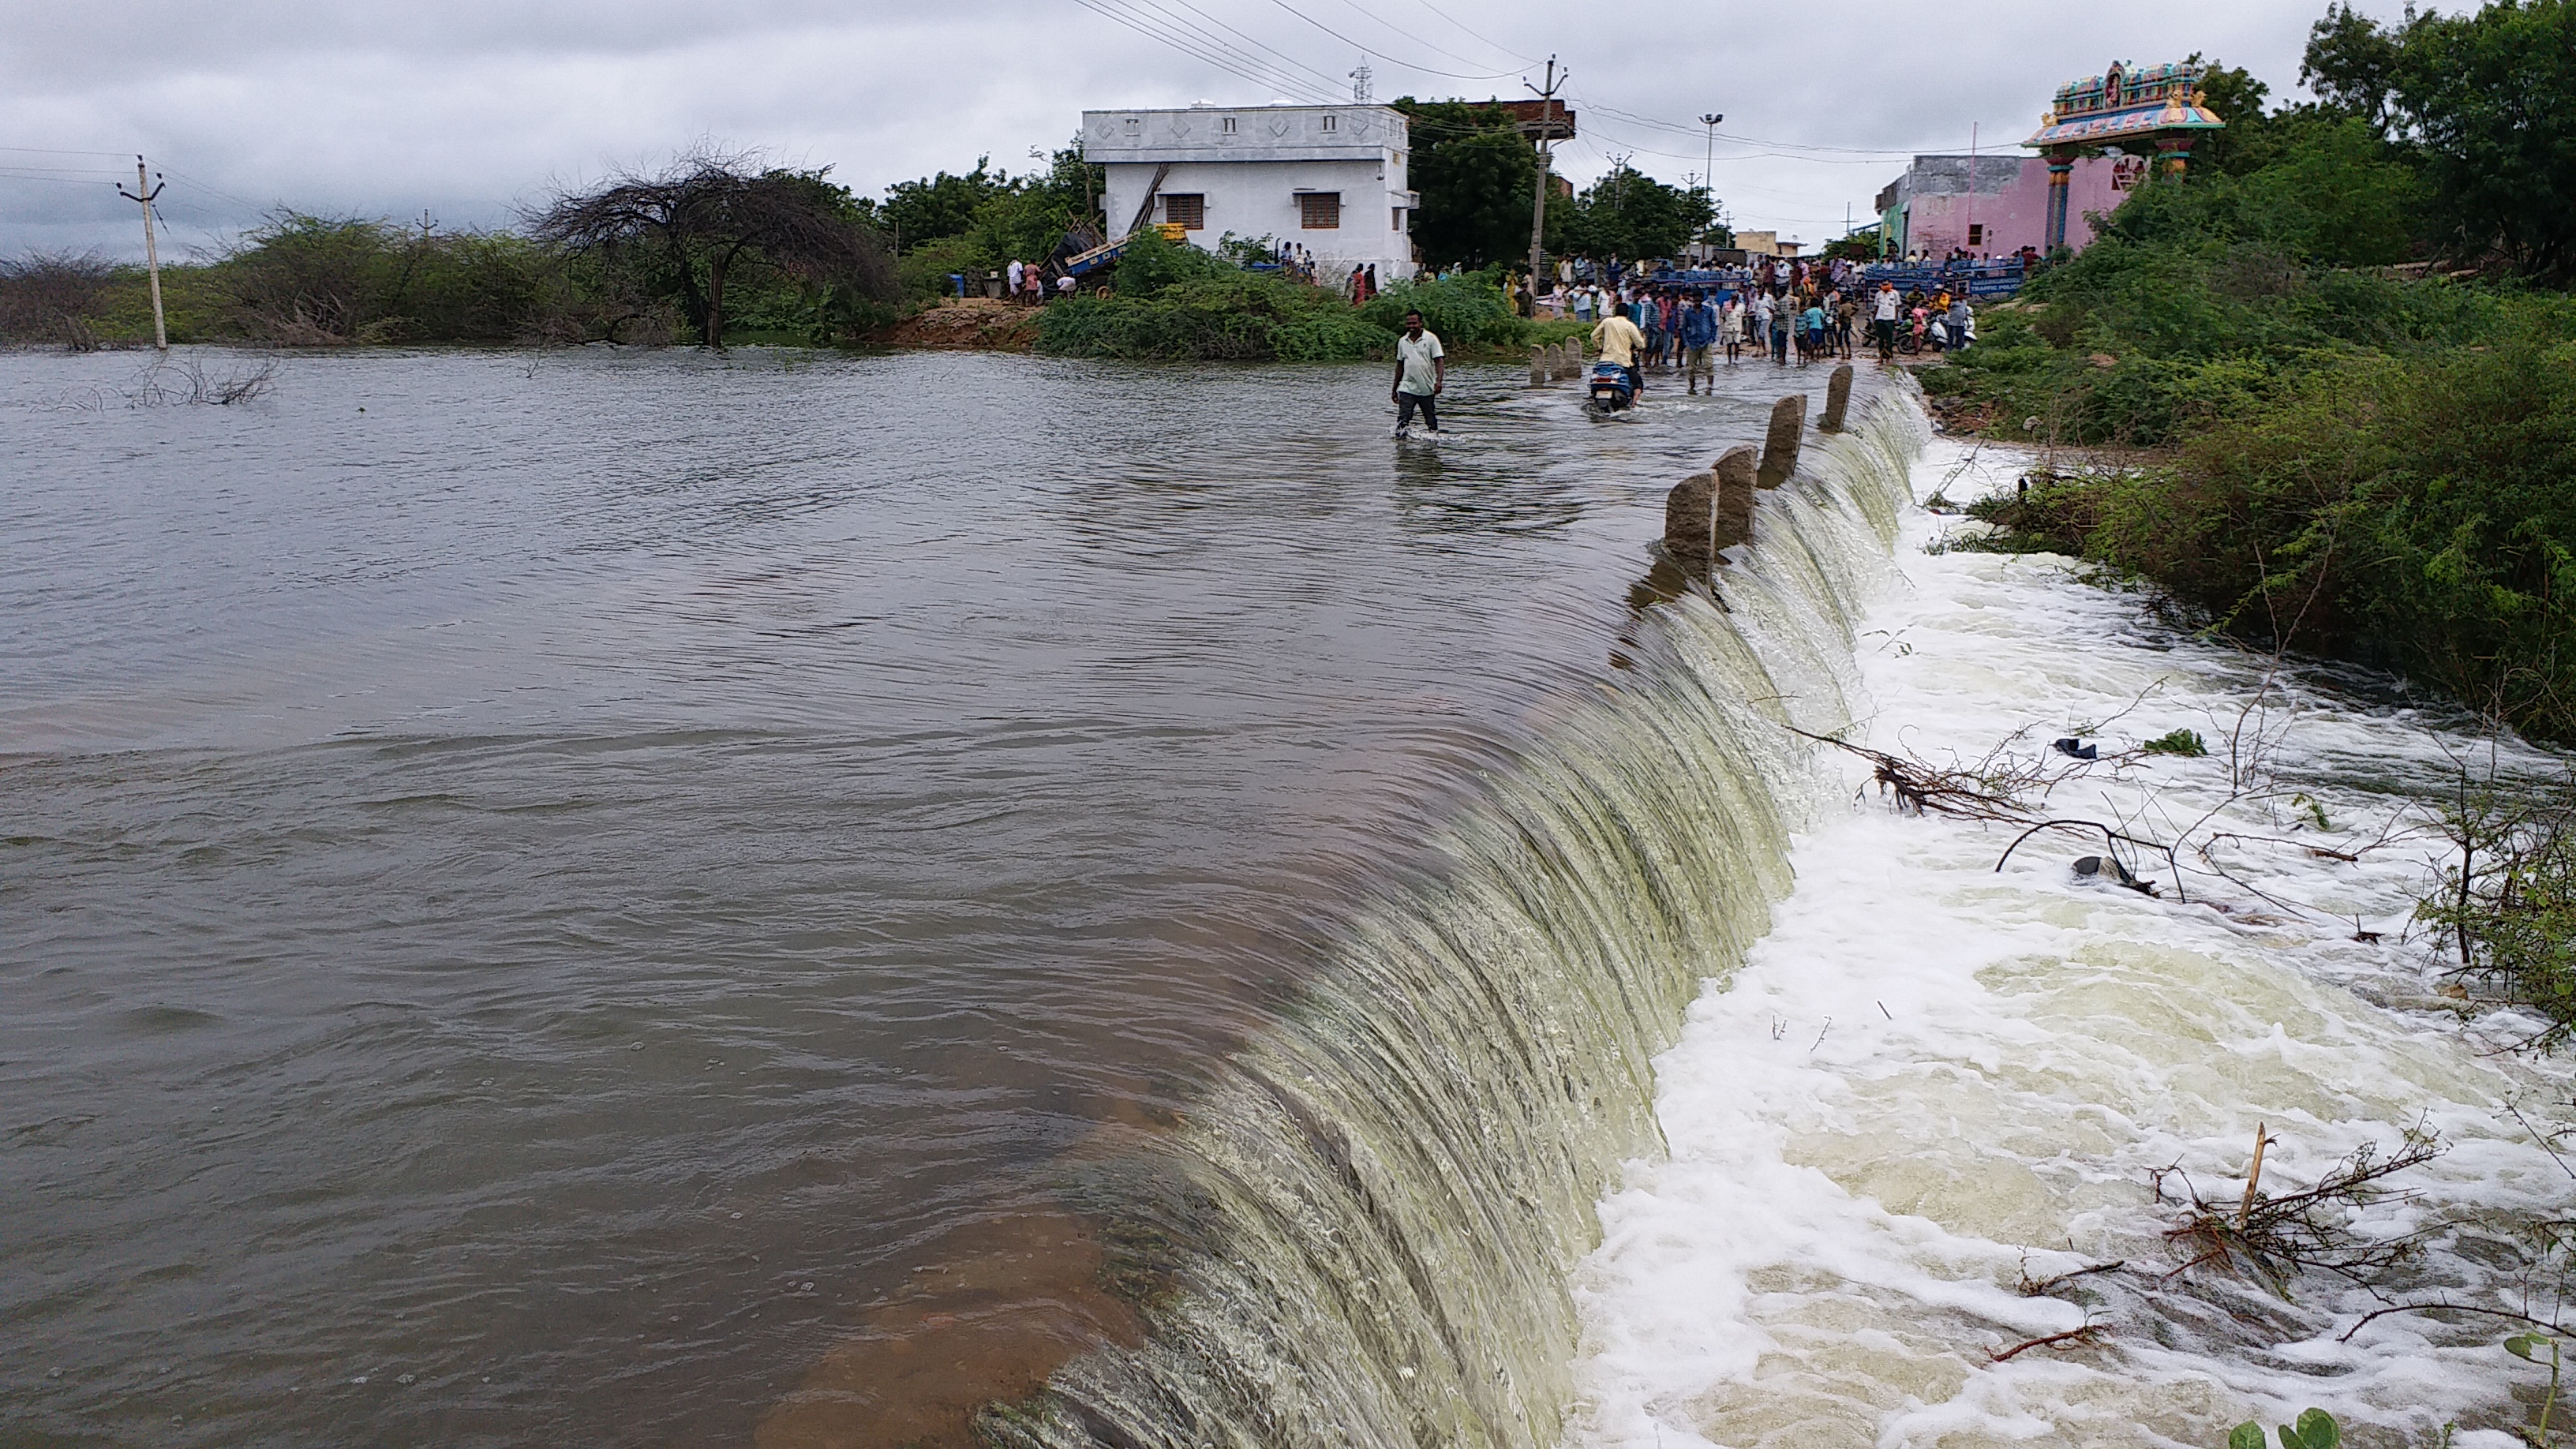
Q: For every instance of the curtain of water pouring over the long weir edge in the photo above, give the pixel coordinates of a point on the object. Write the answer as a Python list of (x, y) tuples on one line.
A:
[(1364, 1231)]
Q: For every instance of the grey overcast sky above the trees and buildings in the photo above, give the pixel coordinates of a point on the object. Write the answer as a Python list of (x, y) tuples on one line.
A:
[(475, 107)]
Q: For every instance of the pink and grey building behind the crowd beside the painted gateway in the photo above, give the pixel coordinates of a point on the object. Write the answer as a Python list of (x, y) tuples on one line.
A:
[(1936, 208)]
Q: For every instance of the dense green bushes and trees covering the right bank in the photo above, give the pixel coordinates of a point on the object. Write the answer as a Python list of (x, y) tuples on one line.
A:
[(2353, 357)]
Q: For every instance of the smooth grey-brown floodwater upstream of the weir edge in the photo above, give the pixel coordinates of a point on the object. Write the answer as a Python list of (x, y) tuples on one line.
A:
[(550, 896)]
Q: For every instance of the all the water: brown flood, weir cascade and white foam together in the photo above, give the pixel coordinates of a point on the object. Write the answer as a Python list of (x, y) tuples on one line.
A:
[(656, 901)]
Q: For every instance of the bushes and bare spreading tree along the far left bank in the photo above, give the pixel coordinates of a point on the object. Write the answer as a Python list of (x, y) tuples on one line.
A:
[(710, 249)]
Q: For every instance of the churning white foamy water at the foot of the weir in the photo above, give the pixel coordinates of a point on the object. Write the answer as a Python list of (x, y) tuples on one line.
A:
[(1931, 1076)]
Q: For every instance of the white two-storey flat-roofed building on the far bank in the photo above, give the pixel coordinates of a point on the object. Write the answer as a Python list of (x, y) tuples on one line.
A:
[(1328, 179)]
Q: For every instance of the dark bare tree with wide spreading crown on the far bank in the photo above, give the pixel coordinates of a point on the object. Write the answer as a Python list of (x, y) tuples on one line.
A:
[(707, 213)]
